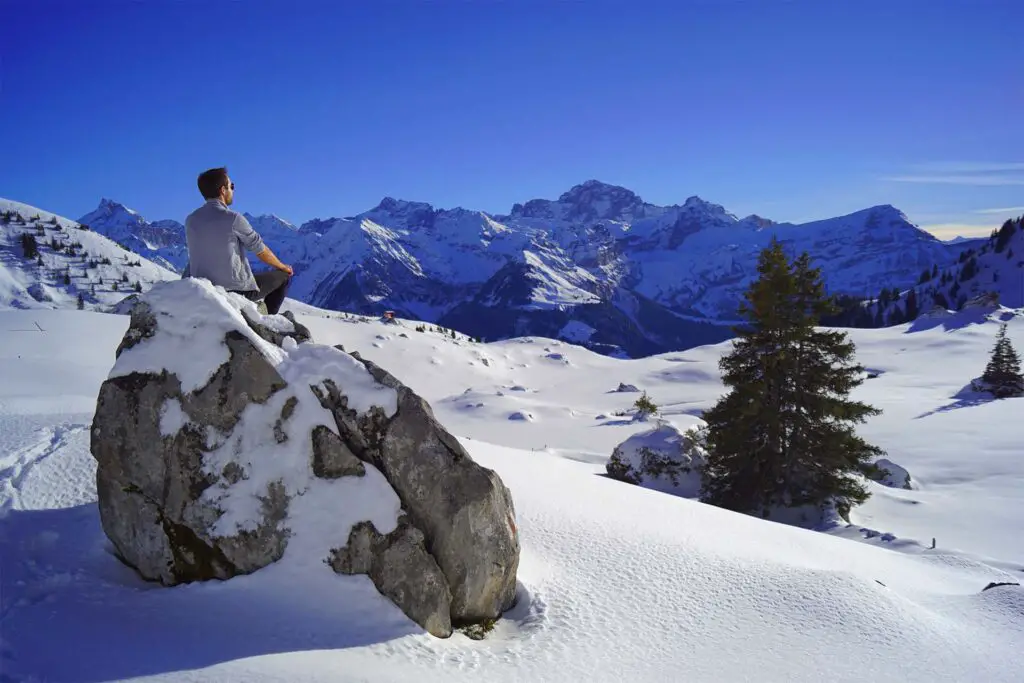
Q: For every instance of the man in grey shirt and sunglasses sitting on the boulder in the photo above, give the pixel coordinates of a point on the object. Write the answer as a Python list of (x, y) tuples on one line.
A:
[(218, 237)]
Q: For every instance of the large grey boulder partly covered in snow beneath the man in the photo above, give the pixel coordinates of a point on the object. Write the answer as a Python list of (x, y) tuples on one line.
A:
[(227, 441)]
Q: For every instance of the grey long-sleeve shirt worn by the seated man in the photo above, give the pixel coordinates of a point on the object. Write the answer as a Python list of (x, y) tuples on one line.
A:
[(217, 238)]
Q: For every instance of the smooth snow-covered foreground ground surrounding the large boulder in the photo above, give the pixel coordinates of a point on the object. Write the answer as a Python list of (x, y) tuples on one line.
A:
[(615, 580)]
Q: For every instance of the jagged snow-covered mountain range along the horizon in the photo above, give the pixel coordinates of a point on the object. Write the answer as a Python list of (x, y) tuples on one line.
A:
[(599, 266)]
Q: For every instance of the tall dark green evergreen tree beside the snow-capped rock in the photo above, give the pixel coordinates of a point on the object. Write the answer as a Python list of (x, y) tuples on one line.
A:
[(780, 437)]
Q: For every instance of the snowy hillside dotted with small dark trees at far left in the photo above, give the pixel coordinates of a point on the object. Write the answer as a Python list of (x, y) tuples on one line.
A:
[(102, 272)]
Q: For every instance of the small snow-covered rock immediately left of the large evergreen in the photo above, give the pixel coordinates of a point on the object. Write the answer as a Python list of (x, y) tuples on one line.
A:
[(662, 458)]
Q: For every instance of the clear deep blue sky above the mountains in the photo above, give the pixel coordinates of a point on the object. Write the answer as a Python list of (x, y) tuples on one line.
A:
[(795, 111)]
